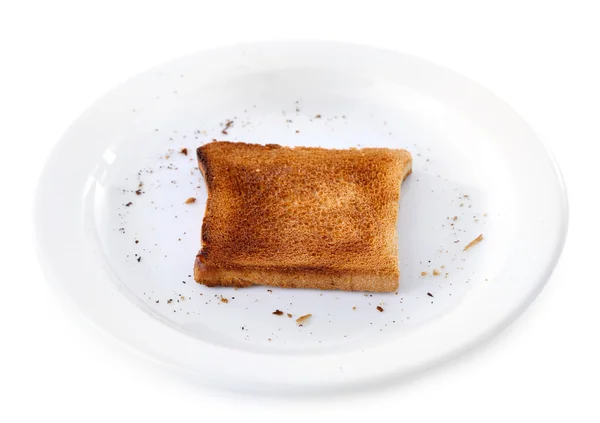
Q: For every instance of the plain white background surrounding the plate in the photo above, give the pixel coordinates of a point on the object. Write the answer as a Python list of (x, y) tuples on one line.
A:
[(542, 57)]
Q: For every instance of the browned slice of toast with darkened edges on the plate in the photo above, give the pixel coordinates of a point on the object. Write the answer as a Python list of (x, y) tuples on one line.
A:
[(300, 217)]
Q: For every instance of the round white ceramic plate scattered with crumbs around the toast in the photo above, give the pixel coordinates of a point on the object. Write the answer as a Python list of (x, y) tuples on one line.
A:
[(478, 169)]
